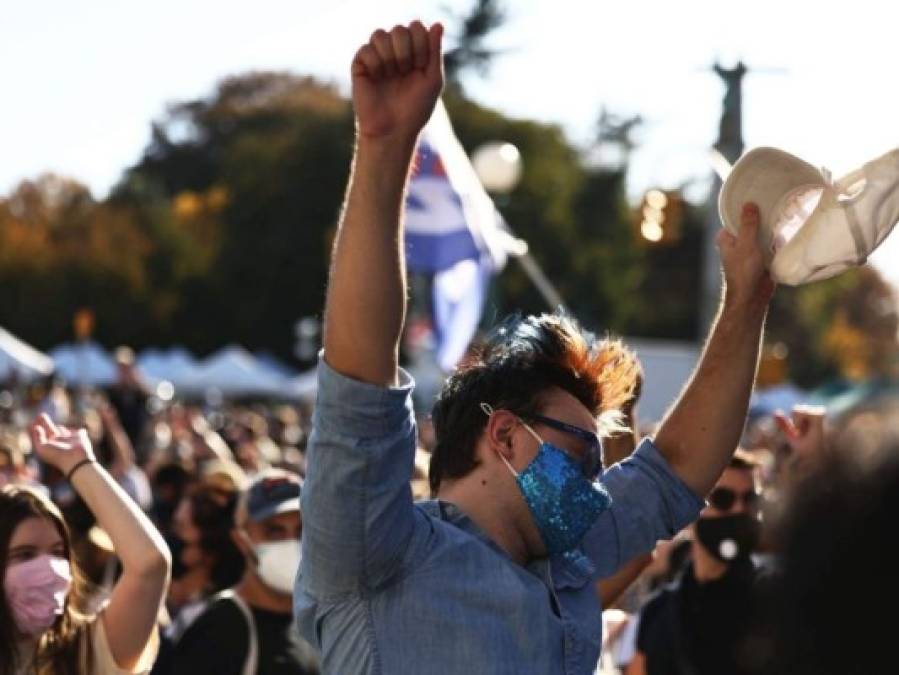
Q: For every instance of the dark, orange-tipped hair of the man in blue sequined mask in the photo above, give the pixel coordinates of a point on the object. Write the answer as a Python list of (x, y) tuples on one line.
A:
[(518, 362)]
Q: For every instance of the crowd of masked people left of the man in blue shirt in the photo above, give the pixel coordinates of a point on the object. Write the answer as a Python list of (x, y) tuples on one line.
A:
[(178, 525)]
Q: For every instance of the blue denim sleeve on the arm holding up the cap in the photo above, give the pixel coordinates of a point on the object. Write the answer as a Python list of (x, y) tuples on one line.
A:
[(649, 502)]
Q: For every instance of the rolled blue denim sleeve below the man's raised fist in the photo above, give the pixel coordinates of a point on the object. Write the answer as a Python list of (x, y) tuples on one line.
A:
[(358, 514)]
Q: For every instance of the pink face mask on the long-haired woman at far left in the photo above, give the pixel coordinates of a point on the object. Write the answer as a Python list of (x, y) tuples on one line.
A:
[(36, 591)]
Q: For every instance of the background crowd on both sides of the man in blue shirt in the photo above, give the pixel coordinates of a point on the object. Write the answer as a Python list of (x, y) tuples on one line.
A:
[(793, 541)]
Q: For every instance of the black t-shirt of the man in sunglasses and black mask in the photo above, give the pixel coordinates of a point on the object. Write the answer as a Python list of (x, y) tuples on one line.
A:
[(689, 628)]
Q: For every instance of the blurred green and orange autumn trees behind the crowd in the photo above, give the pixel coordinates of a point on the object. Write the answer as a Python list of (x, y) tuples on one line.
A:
[(222, 232)]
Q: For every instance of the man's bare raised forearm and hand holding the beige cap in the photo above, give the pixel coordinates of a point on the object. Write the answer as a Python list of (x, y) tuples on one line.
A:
[(701, 432)]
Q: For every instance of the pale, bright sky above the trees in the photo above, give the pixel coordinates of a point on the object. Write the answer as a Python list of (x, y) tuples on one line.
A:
[(83, 80)]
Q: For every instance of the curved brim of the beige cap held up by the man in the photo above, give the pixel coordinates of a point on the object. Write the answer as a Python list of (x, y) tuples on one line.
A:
[(763, 176)]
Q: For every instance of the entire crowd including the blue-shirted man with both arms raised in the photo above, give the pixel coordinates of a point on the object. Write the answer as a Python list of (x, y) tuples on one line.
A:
[(524, 526)]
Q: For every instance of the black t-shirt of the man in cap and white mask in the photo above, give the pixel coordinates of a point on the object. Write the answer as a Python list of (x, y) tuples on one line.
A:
[(218, 643)]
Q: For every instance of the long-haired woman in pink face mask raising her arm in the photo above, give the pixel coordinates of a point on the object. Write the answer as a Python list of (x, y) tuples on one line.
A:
[(44, 627)]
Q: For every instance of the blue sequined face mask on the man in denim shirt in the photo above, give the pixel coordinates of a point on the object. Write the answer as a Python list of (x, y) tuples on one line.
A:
[(563, 502)]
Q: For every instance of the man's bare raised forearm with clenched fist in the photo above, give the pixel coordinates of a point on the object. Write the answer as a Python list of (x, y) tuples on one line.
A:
[(397, 78)]
